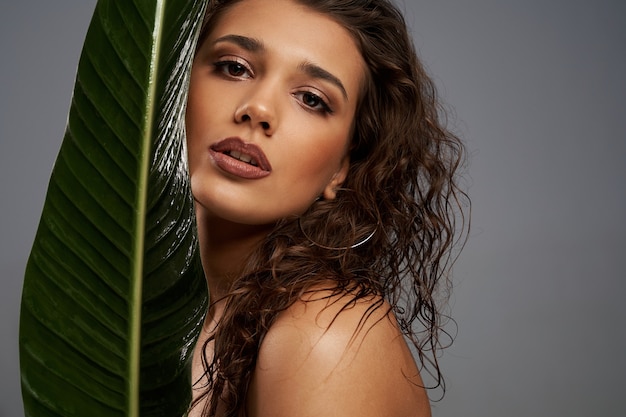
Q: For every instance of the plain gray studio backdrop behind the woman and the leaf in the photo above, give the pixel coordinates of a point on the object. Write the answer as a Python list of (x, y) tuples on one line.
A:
[(538, 93)]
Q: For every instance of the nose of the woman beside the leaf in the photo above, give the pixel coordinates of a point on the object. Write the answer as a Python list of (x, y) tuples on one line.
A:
[(258, 110)]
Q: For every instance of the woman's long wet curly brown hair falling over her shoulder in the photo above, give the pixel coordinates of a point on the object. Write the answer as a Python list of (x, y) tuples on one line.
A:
[(402, 186)]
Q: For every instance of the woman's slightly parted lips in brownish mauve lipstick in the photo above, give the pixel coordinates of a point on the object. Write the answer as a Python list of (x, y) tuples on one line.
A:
[(240, 159)]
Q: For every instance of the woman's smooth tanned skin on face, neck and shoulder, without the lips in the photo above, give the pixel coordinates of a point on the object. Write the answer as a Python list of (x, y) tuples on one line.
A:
[(287, 79)]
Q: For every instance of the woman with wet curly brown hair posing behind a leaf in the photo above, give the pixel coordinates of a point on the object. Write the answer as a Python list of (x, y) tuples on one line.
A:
[(325, 202)]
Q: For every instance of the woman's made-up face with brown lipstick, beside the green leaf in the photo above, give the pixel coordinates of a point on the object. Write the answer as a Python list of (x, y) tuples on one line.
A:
[(273, 94)]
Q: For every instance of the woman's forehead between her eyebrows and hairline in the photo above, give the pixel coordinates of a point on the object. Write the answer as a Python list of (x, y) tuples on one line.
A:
[(296, 34)]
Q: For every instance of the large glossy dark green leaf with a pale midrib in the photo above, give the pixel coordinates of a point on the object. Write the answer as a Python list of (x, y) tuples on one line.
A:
[(114, 293)]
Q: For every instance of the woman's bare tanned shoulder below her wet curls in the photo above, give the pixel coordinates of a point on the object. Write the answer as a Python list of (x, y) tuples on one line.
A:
[(331, 356)]
